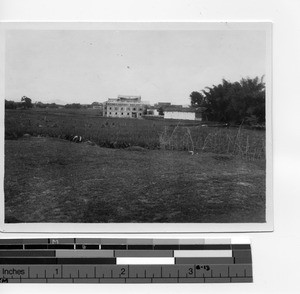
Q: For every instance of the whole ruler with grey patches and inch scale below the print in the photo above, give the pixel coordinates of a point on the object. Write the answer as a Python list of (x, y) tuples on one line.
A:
[(91, 260)]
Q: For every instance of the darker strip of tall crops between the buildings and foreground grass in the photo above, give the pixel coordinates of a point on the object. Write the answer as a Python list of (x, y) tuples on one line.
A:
[(121, 133)]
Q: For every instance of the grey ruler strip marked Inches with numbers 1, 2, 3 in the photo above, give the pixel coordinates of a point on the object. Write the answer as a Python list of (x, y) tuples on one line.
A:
[(20, 272)]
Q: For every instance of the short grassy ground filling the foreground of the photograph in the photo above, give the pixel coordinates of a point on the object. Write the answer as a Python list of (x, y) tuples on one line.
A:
[(54, 180)]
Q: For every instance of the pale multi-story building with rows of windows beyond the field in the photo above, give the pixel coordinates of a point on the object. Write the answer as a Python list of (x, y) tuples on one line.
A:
[(124, 106)]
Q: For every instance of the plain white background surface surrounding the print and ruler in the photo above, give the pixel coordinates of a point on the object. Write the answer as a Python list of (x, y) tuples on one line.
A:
[(276, 257)]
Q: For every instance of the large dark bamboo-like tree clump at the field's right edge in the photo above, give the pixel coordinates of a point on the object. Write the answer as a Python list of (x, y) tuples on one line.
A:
[(238, 102)]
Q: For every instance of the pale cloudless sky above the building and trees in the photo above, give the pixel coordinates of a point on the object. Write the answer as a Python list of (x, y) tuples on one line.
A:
[(81, 66)]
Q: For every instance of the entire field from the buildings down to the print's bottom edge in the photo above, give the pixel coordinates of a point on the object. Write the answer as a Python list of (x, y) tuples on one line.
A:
[(49, 179)]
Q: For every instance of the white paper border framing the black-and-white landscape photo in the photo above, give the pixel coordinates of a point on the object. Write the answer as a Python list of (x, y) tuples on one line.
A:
[(145, 228)]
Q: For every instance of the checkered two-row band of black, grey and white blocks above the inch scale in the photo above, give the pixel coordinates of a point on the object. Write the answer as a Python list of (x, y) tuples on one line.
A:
[(123, 256)]
